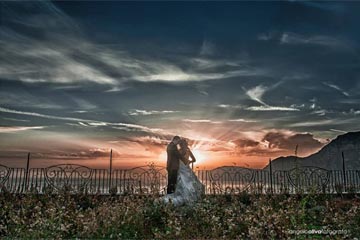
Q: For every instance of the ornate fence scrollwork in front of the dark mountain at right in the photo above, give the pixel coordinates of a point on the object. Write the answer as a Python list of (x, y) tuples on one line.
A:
[(308, 178)]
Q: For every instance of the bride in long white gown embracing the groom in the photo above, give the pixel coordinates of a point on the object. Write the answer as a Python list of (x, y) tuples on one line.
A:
[(188, 187)]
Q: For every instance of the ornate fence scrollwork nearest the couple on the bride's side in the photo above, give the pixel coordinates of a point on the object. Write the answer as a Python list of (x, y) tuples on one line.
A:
[(230, 180)]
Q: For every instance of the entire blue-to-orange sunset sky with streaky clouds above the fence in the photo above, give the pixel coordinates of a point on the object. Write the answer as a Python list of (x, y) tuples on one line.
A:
[(243, 81)]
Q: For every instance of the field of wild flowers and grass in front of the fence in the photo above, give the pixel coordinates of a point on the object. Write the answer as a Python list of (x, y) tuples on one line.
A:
[(143, 217)]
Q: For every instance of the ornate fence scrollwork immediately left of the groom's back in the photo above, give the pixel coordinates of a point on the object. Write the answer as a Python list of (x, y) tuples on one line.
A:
[(146, 179)]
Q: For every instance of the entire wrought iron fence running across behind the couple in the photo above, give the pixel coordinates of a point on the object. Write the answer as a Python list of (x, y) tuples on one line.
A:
[(153, 179)]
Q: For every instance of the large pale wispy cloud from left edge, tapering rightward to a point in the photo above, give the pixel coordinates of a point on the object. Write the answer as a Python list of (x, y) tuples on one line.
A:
[(90, 62)]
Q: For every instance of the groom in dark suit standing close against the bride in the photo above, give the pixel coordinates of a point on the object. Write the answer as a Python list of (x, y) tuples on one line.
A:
[(172, 166)]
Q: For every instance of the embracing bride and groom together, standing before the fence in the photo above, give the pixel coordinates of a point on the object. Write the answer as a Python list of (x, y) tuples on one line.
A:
[(183, 185)]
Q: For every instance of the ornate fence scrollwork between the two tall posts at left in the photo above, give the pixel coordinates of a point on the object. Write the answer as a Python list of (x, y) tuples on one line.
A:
[(71, 176)]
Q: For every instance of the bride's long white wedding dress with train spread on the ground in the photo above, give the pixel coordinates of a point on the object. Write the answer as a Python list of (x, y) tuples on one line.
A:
[(188, 188)]
